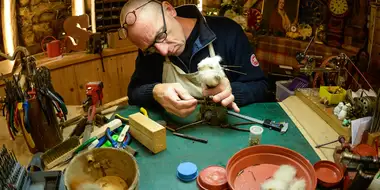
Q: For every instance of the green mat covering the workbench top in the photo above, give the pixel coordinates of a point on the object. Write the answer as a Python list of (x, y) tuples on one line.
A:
[(159, 171)]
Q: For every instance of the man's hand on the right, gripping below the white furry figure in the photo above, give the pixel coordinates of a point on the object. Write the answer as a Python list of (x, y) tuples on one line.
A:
[(223, 93)]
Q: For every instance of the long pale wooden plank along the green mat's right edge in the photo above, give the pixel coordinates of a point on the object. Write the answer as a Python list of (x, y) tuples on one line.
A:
[(312, 126)]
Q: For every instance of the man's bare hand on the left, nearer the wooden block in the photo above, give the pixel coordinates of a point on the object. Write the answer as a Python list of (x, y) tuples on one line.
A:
[(175, 99)]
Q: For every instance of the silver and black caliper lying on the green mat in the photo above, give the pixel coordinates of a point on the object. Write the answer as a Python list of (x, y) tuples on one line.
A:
[(280, 127)]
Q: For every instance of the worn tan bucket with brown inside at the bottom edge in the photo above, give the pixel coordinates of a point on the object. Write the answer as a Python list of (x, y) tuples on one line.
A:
[(100, 163)]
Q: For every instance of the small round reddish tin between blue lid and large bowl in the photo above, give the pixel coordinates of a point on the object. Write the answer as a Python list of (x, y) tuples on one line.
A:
[(213, 178)]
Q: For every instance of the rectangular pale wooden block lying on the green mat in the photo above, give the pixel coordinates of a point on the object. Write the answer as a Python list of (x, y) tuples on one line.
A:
[(148, 132)]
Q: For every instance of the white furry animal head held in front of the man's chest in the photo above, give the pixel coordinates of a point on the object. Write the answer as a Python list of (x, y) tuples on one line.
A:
[(210, 71)]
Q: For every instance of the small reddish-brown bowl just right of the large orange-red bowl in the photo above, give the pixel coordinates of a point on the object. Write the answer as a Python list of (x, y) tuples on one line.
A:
[(328, 173)]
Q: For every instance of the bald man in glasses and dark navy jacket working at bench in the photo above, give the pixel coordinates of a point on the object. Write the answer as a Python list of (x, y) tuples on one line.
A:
[(171, 42)]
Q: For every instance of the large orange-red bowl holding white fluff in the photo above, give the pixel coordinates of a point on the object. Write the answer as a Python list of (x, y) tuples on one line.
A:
[(251, 166)]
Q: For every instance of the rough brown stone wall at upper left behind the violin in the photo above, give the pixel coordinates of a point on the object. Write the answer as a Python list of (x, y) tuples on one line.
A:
[(40, 18)]
